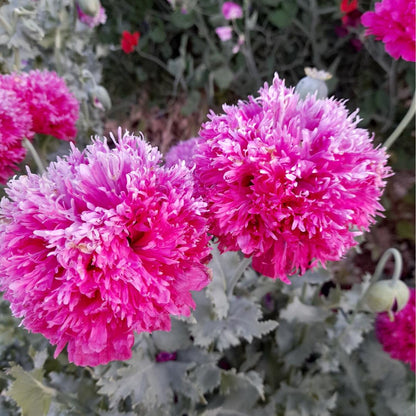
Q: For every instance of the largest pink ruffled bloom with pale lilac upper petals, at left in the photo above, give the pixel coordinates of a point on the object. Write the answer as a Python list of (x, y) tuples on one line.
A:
[(105, 243)]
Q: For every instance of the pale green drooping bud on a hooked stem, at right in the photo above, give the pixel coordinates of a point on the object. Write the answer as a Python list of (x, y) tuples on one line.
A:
[(387, 296)]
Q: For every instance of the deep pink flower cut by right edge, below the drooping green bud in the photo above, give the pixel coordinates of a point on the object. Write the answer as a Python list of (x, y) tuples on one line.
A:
[(398, 336)]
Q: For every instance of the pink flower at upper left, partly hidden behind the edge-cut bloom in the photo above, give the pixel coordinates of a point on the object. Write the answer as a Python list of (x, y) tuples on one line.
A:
[(53, 108)]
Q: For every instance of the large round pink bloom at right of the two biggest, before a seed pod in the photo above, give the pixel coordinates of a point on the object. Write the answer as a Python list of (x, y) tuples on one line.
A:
[(290, 182)]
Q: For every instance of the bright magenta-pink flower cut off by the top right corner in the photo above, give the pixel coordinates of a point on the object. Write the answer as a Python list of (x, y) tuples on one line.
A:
[(393, 22)]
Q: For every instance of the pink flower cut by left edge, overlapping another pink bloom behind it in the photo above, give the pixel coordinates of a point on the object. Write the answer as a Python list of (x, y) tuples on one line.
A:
[(15, 125)]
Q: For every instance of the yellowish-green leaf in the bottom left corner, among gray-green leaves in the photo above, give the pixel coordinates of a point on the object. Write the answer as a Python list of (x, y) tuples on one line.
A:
[(32, 396)]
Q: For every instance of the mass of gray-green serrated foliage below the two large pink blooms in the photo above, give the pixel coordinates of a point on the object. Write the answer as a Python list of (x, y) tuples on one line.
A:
[(253, 346)]
